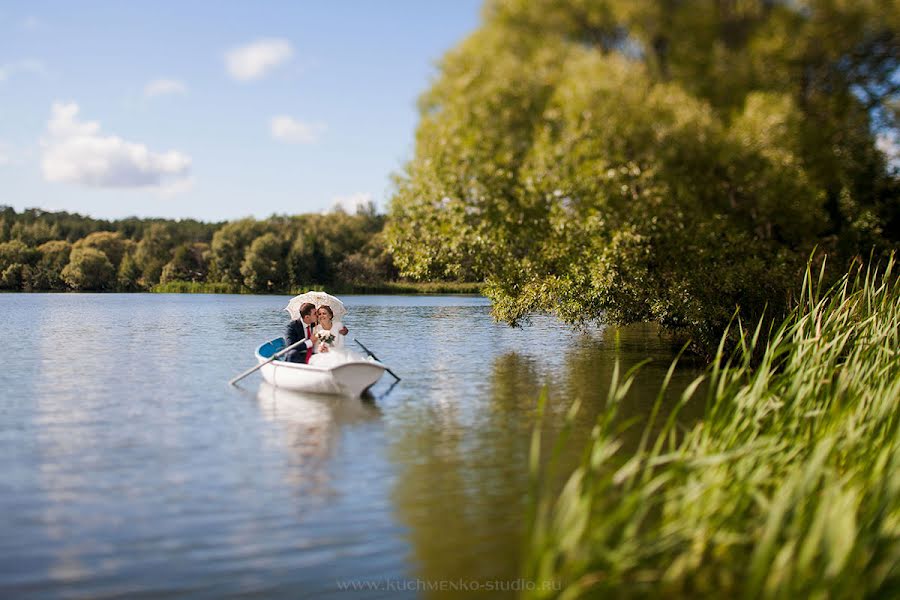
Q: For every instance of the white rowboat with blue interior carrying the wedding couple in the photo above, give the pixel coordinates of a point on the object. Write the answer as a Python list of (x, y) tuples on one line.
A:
[(348, 379)]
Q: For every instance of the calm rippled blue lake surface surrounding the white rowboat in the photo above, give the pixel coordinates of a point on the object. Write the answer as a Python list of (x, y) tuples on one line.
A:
[(131, 468)]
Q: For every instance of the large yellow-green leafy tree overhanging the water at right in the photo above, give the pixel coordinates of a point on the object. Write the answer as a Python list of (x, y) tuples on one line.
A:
[(651, 160)]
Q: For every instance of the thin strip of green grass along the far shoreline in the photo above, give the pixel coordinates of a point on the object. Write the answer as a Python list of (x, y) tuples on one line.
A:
[(388, 287)]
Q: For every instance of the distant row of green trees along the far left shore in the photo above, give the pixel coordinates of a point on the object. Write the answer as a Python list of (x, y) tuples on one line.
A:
[(57, 251)]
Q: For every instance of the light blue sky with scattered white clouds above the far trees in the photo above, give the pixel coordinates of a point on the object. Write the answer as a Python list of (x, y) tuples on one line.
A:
[(213, 110)]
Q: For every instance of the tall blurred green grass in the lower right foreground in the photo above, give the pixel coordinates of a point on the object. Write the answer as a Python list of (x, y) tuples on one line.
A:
[(788, 487)]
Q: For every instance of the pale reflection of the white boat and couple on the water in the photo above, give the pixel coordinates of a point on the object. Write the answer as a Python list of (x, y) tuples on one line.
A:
[(311, 426)]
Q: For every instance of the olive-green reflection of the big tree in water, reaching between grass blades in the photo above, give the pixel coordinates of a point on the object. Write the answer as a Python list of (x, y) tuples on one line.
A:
[(463, 482)]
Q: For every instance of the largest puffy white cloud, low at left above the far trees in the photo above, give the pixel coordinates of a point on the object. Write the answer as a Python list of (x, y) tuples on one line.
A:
[(75, 152)]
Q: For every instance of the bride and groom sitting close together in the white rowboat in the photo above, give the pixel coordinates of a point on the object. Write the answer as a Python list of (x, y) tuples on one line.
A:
[(322, 336)]
